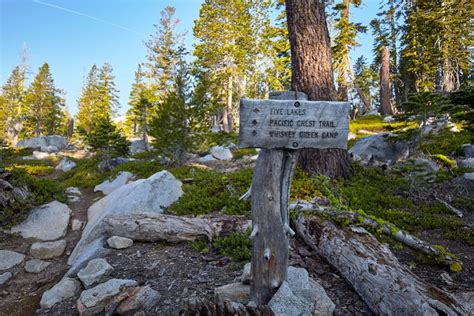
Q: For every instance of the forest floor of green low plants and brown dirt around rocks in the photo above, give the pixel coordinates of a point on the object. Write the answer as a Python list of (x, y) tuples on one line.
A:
[(401, 195)]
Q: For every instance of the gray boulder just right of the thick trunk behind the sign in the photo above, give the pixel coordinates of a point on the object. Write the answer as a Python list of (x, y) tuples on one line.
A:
[(380, 149)]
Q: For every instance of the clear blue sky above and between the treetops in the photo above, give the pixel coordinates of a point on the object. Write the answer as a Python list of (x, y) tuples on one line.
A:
[(71, 35)]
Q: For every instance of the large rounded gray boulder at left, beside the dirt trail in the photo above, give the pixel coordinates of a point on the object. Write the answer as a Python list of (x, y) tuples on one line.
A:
[(39, 223)]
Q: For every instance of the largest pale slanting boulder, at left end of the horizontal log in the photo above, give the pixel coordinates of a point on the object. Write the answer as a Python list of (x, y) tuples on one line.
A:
[(150, 195)]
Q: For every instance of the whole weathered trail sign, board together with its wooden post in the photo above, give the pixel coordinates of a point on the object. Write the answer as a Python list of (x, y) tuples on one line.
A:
[(280, 126)]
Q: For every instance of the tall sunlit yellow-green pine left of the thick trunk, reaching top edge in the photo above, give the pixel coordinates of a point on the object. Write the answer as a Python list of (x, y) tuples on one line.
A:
[(225, 49)]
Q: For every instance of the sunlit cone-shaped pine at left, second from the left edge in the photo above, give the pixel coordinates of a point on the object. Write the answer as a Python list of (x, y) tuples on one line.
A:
[(46, 106)]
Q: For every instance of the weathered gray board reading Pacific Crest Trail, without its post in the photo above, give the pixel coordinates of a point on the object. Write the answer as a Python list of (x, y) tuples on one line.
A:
[(293, 124)]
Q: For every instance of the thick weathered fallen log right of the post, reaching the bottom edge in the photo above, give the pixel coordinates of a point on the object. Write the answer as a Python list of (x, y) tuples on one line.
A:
[(386, 286)]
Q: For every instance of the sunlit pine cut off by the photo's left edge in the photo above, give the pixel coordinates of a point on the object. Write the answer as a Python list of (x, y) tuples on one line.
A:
[(13, 107)]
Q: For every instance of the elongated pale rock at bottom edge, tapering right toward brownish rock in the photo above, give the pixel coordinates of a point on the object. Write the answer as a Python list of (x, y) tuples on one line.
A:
[(93, 301)]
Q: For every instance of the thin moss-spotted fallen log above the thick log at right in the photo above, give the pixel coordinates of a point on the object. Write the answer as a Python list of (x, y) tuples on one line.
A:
[(437, 253)]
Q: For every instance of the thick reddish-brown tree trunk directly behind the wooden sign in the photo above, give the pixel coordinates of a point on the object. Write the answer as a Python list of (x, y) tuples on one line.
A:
[(312, 74)]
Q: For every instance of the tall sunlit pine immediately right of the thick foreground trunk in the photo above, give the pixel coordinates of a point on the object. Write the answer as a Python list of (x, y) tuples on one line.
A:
[(344, 41)]
